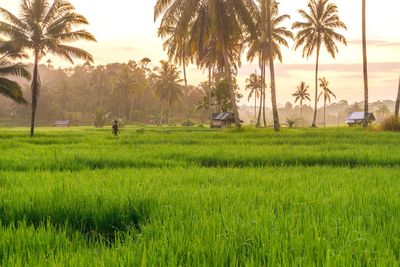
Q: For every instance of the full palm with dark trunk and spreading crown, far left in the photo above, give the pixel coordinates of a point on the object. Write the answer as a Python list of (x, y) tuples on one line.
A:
[(45, 27)]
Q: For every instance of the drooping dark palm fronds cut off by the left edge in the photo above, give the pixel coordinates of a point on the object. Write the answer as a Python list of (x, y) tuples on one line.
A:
[(9, 88)]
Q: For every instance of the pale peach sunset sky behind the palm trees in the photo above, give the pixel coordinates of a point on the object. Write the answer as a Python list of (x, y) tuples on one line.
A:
[(125, 30)]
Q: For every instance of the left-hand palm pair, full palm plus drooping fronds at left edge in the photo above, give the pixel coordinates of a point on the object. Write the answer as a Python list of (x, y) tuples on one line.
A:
[(43, 27)]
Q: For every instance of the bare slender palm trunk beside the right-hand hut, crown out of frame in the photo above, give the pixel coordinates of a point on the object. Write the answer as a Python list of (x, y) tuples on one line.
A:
[(365, 62)]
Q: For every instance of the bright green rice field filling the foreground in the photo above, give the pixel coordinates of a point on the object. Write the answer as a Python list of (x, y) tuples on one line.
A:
[(198, 197)]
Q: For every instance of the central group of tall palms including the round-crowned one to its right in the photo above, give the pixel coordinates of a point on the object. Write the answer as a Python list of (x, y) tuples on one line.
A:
[(213, 34)]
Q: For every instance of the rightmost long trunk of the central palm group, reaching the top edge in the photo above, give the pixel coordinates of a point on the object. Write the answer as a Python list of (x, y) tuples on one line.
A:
[(272, 70)]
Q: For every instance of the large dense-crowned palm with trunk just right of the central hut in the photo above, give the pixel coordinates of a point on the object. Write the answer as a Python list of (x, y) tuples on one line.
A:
[(222, 24)]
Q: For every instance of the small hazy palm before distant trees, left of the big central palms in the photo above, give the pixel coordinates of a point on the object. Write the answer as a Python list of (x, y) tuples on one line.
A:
[(167, 84)]
